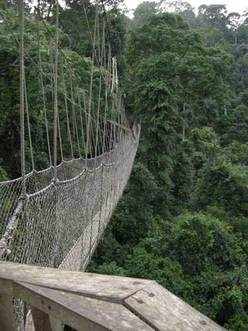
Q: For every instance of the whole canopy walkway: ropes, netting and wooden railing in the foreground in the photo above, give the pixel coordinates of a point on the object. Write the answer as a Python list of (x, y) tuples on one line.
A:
[(77, 149)]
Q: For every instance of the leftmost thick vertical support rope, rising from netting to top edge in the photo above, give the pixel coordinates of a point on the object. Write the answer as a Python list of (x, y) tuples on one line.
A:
[(22, 96)]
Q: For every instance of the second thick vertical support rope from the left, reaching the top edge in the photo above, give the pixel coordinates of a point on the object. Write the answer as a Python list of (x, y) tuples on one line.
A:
[(55, 119)]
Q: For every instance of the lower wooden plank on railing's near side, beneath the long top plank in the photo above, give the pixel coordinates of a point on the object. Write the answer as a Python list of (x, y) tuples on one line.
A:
[(77, 311)]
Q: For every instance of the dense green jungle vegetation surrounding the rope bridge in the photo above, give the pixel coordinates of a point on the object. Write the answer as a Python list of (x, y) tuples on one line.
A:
[(183, 220)]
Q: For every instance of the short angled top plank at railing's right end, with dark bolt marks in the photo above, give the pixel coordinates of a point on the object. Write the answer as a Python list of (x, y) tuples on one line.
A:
[(164, 311)]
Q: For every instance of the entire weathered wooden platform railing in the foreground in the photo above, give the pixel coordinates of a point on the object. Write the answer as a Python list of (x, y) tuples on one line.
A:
[(85, 301)]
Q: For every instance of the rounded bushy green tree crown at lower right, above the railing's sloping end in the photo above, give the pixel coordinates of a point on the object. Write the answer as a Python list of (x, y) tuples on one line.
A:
[(199, 241)]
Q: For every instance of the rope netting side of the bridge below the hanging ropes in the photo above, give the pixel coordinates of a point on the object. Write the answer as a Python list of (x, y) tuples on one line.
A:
[(63, 229)]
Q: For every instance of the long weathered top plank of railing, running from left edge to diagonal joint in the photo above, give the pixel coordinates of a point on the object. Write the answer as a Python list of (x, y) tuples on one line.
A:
[(110, 288)]
